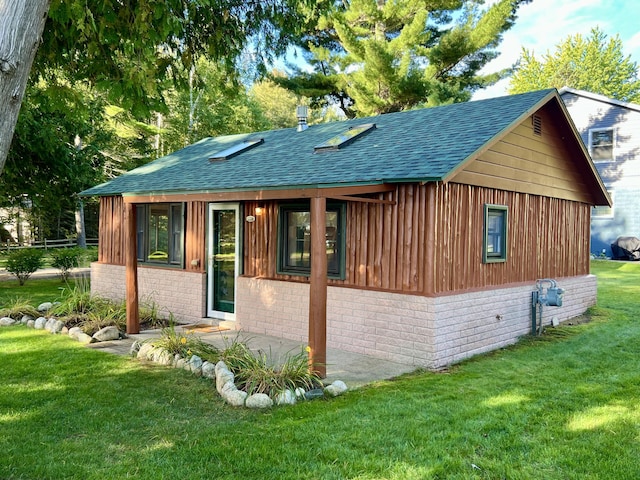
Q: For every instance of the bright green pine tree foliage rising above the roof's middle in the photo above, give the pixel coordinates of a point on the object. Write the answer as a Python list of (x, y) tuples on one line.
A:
[(376, 56)]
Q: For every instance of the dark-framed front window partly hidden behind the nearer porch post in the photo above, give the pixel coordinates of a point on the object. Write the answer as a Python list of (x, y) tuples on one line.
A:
[(294, 239)]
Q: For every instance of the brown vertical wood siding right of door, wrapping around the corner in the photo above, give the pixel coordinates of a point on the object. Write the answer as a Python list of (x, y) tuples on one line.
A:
[(431, 240)]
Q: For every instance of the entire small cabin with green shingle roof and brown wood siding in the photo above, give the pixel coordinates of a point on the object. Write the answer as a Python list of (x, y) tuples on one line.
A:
[(431, 229)]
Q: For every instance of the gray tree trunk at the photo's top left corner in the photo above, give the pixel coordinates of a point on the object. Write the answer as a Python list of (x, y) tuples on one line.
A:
[(21, 26)]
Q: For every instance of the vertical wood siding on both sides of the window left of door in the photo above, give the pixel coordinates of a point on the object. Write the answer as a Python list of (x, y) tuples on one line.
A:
[(111, 233)]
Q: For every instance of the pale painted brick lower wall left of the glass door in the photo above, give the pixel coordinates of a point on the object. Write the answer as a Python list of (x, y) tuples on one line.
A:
[(174, 291)]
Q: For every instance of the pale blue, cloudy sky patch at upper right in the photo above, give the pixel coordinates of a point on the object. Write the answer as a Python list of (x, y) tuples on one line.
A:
[(542, 24)]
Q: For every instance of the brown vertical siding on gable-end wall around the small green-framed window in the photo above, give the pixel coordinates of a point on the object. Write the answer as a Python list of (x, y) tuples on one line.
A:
[(547, 237)]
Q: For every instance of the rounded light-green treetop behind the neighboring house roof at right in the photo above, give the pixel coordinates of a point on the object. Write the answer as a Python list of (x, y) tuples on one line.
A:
[(594, 63)]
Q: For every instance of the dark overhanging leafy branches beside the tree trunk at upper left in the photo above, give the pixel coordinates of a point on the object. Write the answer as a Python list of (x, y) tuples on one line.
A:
[(131, 49)]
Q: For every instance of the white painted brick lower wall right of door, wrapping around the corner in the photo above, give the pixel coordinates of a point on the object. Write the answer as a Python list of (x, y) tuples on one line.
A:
[(422, 331)]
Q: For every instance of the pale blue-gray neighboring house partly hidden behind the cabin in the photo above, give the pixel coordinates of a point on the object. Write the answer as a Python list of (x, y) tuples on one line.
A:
[(611, 131)]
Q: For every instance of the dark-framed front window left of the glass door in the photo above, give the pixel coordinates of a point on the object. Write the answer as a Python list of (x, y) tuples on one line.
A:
[(160, 233)]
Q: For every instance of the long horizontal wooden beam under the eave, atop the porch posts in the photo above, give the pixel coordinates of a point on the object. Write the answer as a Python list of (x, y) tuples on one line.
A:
[(256, 195)]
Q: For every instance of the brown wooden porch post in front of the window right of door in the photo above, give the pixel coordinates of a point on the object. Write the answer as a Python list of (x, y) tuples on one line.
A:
[(318, 288)]
